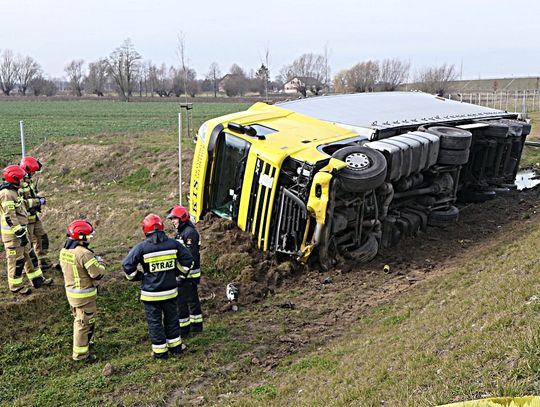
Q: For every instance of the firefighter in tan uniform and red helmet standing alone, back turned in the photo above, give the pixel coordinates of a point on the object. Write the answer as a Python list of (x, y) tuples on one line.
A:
[(82, 270)]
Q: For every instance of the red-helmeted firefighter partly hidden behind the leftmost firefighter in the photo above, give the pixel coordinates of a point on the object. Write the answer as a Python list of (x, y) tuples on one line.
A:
[(37, 235)]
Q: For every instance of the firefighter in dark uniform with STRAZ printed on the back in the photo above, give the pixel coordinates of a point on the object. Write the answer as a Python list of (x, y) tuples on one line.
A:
[(162, 260)]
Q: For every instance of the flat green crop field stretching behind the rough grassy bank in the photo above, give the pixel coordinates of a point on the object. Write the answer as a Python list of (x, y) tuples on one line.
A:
[(49, 120)]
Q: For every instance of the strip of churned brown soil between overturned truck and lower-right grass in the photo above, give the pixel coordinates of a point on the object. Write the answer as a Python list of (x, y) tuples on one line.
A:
[(323, 306)]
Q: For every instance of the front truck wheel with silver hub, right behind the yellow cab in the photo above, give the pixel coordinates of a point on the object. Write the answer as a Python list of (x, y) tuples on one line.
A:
[(366, 168)]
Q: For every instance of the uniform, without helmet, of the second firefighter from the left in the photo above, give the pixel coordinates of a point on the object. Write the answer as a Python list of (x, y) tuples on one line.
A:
[(36, 234)]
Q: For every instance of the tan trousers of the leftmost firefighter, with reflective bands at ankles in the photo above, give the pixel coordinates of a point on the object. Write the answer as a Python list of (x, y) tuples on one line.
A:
[(19, 259)]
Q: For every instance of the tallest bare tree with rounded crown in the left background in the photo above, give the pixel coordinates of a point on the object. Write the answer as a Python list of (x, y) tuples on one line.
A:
[(122, 66)]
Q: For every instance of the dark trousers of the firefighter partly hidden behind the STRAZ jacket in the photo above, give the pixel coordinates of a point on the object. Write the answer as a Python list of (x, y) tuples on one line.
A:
[(189, 307)]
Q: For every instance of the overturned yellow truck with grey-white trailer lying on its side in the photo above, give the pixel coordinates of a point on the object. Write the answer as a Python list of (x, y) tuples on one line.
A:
[(352, 174)]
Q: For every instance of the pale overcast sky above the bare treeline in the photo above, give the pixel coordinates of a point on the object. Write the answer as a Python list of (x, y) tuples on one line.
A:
[(483, 38)]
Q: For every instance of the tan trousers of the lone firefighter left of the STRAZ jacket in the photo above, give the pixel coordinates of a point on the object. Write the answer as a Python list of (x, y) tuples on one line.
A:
[(84, 323)]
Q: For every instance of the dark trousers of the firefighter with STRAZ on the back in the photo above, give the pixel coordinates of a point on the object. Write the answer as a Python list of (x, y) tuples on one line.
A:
[(162, 319)]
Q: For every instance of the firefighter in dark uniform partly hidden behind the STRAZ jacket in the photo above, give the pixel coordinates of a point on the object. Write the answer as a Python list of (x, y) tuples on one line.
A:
[(189, 305)]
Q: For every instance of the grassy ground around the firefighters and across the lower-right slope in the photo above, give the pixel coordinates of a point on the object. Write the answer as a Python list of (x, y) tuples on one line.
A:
[(470, 332)]
